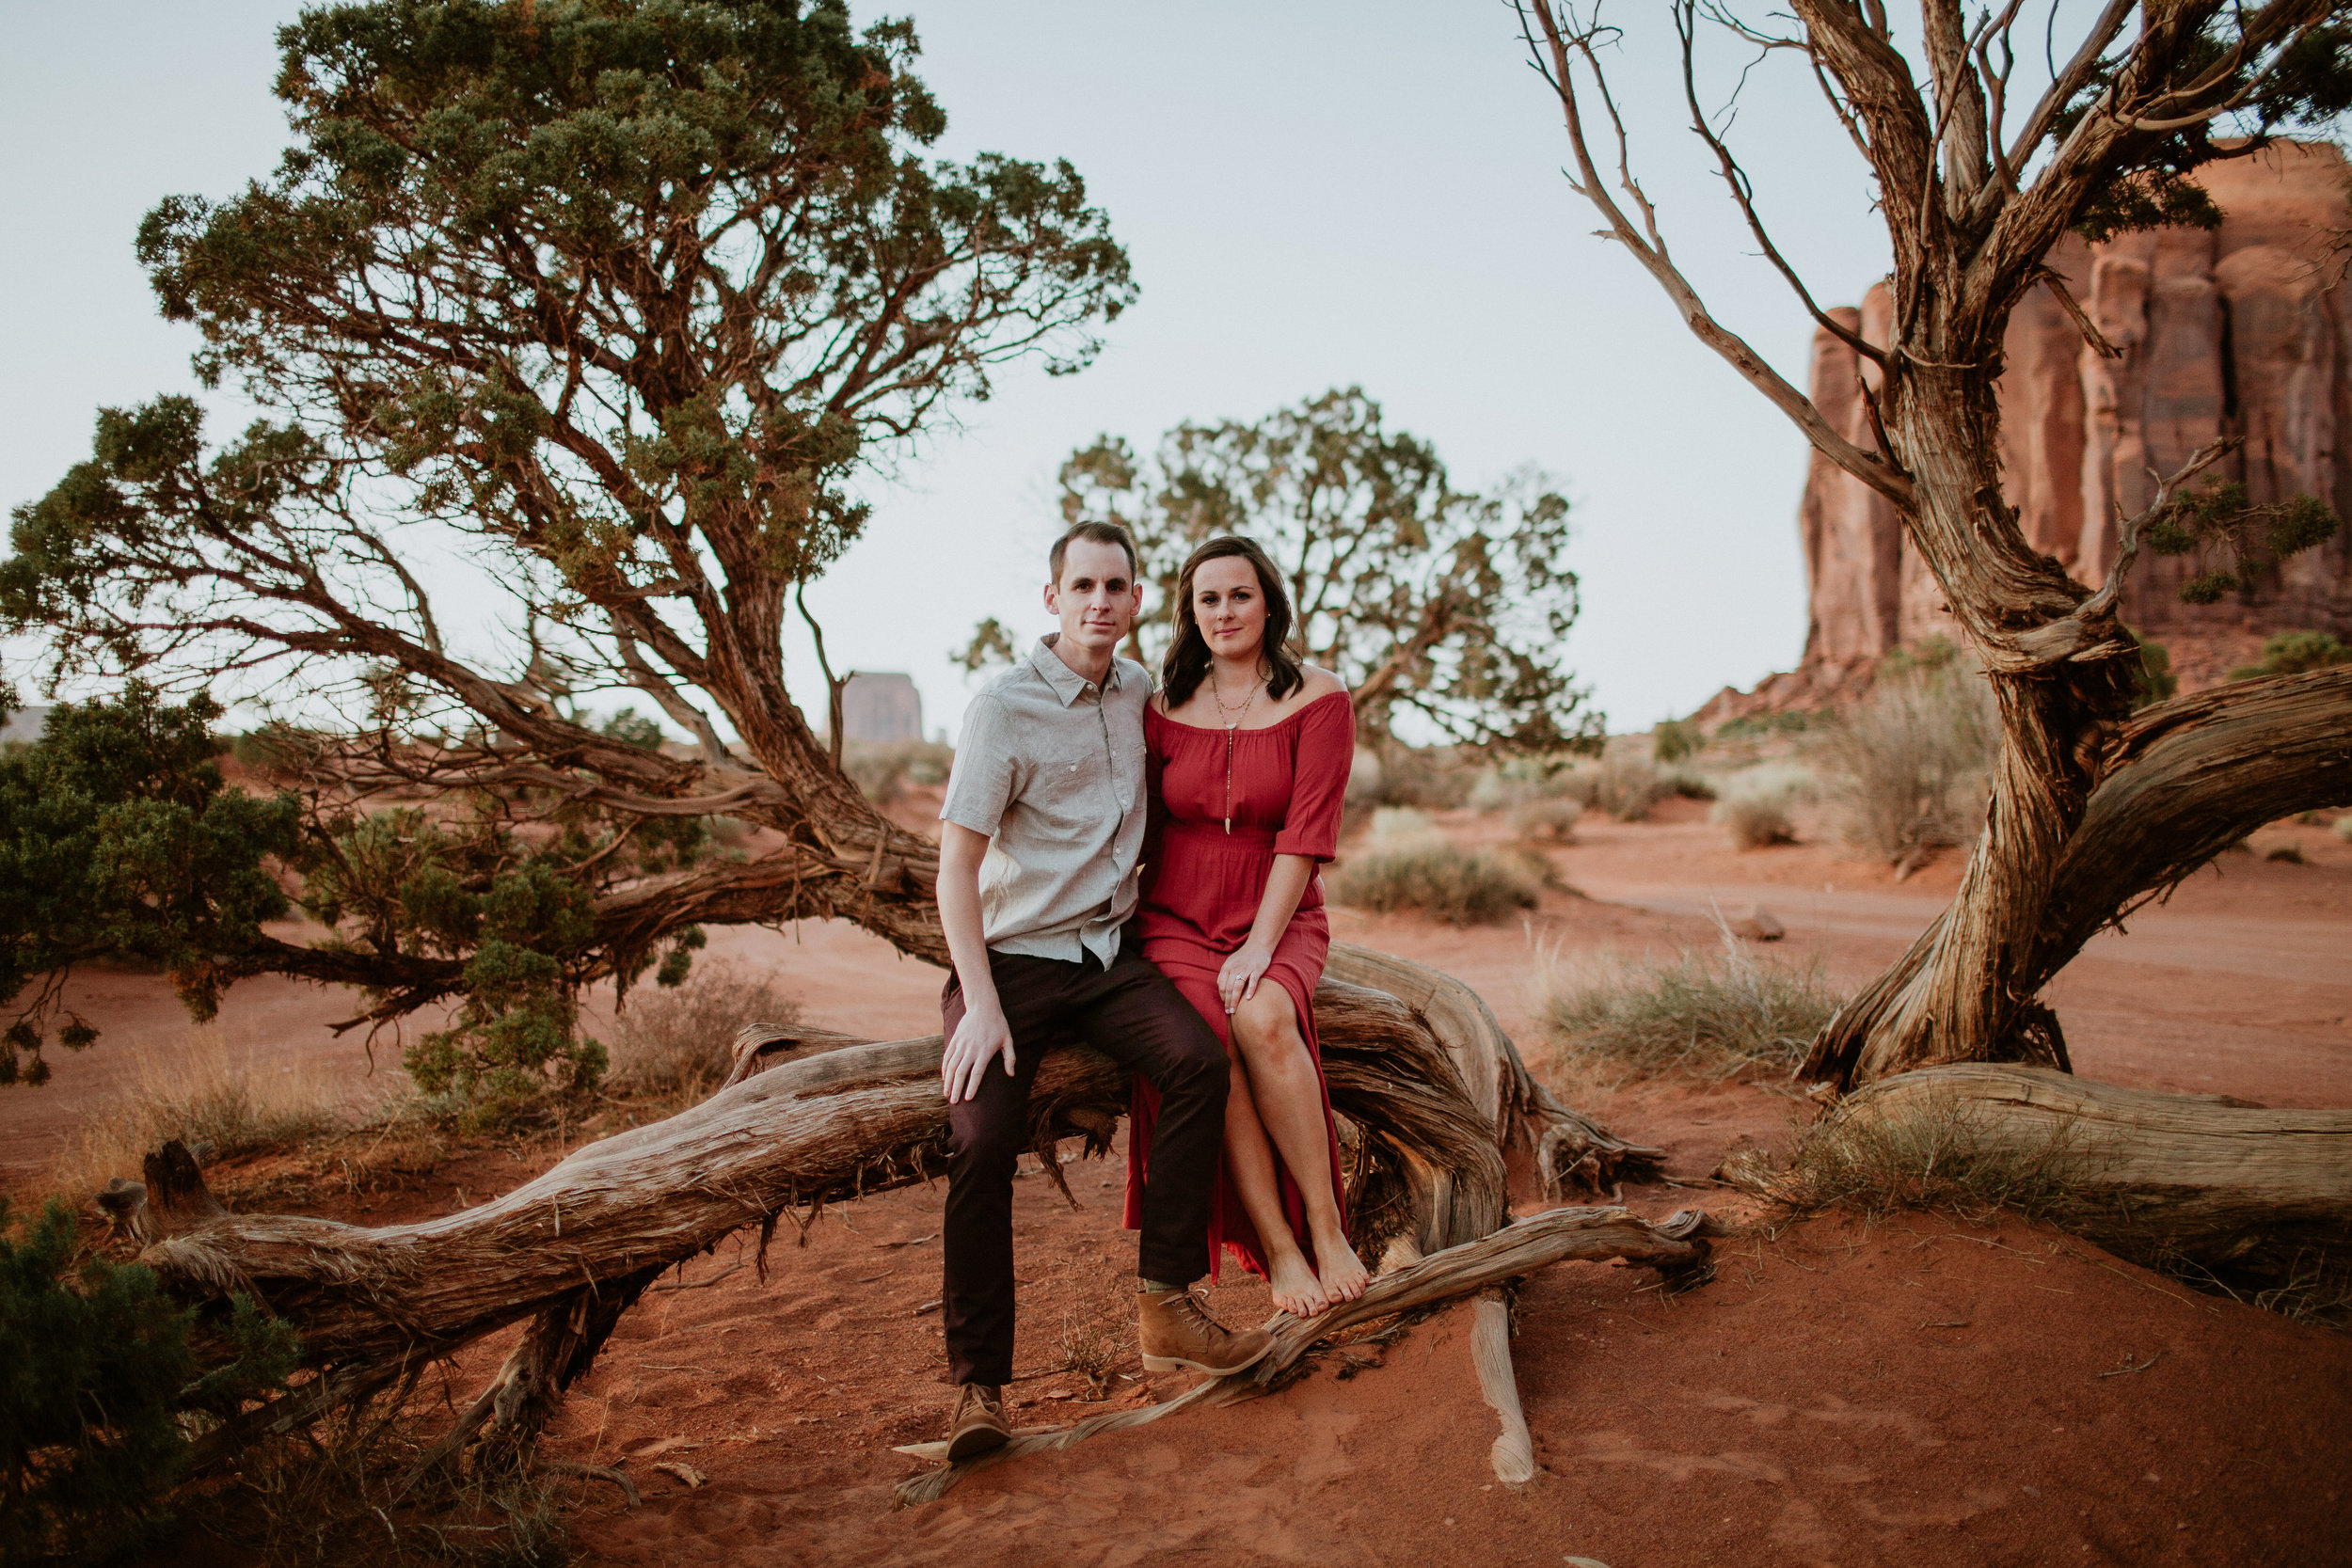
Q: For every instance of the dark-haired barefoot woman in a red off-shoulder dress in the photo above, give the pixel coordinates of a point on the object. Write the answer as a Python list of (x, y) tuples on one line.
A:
[(1248, 758)]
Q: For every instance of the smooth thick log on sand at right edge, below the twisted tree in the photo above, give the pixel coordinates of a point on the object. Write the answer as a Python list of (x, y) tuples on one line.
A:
[(2231, 1188)]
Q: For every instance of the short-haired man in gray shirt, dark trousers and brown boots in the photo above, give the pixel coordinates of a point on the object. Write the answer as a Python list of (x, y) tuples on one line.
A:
[(1038, 869)]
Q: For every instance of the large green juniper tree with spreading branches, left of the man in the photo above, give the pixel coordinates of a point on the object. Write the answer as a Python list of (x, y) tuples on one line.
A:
[(606, 307)]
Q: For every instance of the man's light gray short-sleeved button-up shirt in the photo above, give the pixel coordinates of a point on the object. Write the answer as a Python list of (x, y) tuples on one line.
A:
[(1050, 768)]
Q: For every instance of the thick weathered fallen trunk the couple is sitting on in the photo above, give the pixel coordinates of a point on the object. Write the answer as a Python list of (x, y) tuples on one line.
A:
[(806, 1123)]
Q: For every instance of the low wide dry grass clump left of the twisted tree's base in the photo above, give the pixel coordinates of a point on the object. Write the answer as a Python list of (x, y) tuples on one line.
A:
[(1685, 1017)]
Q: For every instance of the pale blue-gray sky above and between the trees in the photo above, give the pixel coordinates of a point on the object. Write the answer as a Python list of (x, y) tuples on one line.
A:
[(1314, 196)]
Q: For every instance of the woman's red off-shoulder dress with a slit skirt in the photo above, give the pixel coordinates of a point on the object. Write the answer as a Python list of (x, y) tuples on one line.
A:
[(1201, 894)]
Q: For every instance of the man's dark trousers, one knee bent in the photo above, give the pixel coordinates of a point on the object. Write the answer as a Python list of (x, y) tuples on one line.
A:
[(1135, 1017)]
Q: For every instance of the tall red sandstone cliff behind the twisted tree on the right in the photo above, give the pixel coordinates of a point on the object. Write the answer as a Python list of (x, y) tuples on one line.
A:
[(2224, 333)]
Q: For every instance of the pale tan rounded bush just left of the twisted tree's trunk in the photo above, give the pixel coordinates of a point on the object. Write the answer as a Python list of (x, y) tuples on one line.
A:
[(1909, 763)]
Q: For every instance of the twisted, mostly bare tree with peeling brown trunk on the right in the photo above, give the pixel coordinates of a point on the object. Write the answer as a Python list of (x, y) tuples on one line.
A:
[(1975, 192)]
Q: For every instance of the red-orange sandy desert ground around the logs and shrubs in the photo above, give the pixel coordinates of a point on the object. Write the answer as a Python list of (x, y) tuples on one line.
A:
[(1906, 1393)]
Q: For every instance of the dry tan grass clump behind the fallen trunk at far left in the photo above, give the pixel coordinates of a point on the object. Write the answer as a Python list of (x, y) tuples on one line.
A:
[(213, 1097)]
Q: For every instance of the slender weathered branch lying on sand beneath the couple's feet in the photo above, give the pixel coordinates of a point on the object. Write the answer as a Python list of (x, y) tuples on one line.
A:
[(1676, 1247)]
